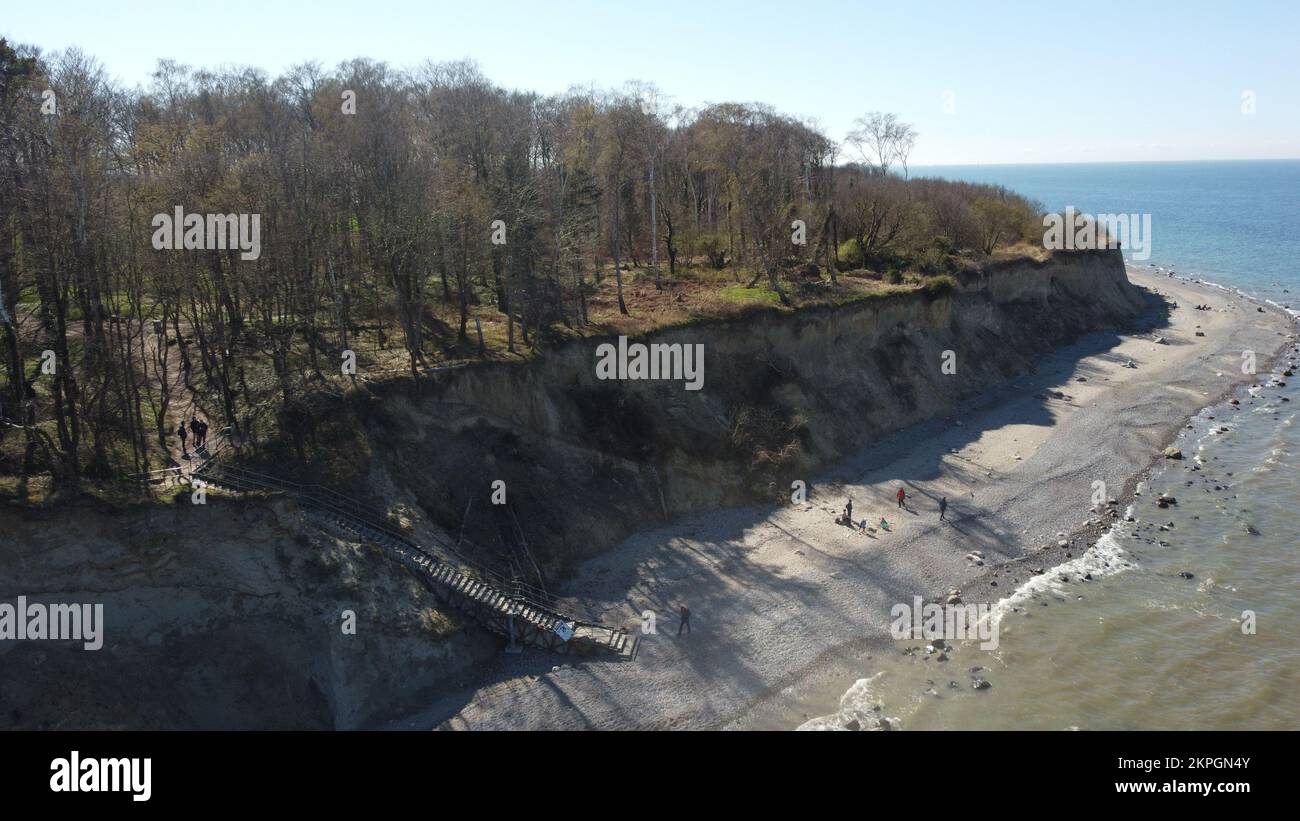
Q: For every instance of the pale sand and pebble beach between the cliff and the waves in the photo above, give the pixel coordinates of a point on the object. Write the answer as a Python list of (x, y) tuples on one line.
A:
[(777, 594)]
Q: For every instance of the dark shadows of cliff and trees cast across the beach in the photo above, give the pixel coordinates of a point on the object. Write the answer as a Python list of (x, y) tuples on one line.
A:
[(720, 566)]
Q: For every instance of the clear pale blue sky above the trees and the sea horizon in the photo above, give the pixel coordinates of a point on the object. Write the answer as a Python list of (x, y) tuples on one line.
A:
[(1030, 82)]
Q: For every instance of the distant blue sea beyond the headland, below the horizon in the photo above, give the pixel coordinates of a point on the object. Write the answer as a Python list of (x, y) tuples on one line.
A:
[(1233, 223)]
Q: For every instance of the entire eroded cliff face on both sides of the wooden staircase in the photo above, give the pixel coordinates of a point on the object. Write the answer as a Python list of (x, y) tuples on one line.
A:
[(229, 615)]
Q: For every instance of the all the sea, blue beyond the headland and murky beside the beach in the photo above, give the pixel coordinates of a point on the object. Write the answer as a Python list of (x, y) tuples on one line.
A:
[(1189, 622)]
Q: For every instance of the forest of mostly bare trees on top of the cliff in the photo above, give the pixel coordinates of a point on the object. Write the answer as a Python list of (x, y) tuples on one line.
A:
[(413, 219)]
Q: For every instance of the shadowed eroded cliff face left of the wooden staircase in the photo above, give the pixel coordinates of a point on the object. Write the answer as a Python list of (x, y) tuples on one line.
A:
[(219, 616)]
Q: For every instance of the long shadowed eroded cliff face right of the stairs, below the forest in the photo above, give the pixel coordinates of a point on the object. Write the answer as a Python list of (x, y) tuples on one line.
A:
[(587, 461)]
